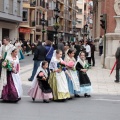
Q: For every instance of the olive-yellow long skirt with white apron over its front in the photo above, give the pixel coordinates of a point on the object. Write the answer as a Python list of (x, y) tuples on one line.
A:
[(58, 83)]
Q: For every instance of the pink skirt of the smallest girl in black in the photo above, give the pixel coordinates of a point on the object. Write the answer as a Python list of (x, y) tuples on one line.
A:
[(37, 93)]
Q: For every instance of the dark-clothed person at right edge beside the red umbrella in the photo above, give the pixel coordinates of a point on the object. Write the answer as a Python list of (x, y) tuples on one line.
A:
[(117, 55)]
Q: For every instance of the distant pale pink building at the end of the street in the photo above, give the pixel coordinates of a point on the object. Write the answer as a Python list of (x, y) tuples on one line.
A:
[(85, 18)]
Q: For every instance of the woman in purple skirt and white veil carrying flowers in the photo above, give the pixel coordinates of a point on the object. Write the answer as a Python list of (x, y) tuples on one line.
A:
[(12, 89)]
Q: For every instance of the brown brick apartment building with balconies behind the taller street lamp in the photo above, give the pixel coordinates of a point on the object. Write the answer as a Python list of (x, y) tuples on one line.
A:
[(67, 18)]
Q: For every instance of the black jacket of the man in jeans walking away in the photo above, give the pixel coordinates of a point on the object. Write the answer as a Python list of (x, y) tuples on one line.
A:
[(40, 53)]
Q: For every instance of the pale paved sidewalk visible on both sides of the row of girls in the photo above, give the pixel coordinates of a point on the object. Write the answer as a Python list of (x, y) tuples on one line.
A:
[(102, 83)]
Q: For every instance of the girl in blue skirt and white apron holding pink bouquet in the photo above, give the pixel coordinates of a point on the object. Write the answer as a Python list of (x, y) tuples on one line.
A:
[(73, 81)]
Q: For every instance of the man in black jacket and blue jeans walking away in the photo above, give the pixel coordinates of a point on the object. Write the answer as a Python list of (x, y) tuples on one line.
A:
[(39, 56)]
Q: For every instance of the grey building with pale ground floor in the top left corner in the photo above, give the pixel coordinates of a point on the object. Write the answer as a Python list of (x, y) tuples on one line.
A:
[(10, 17)]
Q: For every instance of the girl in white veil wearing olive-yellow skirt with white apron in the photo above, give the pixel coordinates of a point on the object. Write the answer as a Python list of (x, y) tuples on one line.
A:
[(58, 81)]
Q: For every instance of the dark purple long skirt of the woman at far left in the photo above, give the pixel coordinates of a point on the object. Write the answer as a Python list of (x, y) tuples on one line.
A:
[(9, 92)]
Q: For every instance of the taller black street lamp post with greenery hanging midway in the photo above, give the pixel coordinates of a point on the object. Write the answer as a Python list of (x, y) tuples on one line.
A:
[(56, 25)]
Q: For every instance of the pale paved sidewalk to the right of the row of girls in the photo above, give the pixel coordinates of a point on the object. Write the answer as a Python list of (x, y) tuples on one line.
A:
[(102, 83)]
